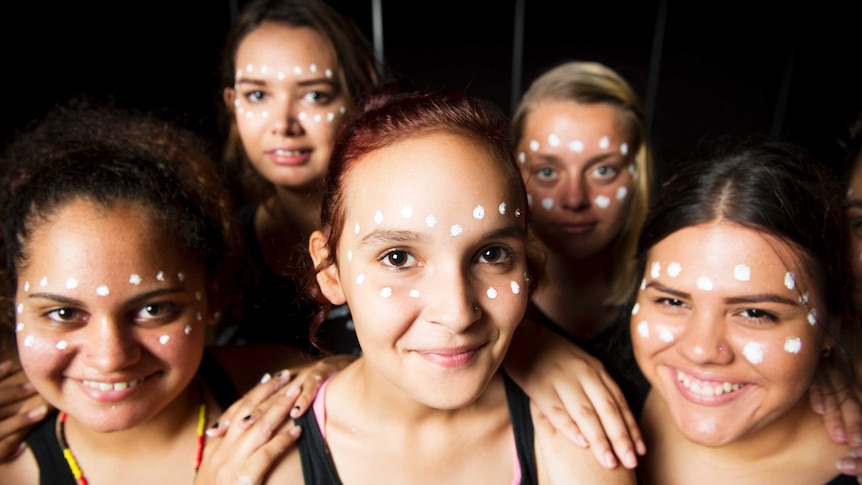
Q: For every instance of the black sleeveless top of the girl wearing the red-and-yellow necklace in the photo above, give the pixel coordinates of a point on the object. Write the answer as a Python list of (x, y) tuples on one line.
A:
[(53, 469)]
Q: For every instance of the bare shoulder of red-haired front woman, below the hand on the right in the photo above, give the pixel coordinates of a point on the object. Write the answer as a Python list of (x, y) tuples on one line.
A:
[(559, 461)]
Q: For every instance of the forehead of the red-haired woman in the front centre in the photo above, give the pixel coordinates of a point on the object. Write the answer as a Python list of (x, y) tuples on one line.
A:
[(439, 171)]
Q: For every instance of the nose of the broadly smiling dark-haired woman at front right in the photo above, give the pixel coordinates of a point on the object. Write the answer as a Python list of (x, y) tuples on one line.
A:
[(703, 341)]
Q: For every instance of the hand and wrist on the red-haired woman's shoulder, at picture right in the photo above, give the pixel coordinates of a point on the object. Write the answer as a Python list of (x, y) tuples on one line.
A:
[(575, 393)]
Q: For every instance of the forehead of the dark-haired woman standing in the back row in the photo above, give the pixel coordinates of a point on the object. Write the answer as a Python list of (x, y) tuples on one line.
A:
[(281, 48)]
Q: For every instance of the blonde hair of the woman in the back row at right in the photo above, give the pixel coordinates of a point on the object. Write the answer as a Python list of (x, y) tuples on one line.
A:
[(593, 83)]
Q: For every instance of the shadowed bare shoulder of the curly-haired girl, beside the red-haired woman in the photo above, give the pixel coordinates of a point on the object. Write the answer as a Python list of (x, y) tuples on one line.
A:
[(246, 364)]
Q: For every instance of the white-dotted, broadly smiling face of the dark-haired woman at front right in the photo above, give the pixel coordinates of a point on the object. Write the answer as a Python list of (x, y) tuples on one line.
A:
[(725, 329)]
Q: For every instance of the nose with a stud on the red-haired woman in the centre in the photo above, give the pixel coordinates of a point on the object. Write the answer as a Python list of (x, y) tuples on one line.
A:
[(450, 300)]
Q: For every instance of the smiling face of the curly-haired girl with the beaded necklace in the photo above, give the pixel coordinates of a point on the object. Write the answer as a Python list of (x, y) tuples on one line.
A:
[(109, 329)]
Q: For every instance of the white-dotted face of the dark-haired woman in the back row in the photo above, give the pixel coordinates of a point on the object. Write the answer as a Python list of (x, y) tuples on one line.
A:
[(287, 103)]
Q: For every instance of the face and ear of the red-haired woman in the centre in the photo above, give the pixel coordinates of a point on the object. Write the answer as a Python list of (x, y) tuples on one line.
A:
[(432, 263)]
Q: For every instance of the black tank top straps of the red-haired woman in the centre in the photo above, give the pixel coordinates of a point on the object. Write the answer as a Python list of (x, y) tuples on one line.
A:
[(319, 469)]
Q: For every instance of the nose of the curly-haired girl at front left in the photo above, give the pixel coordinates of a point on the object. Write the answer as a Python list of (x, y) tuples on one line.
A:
[(110, 345)]
